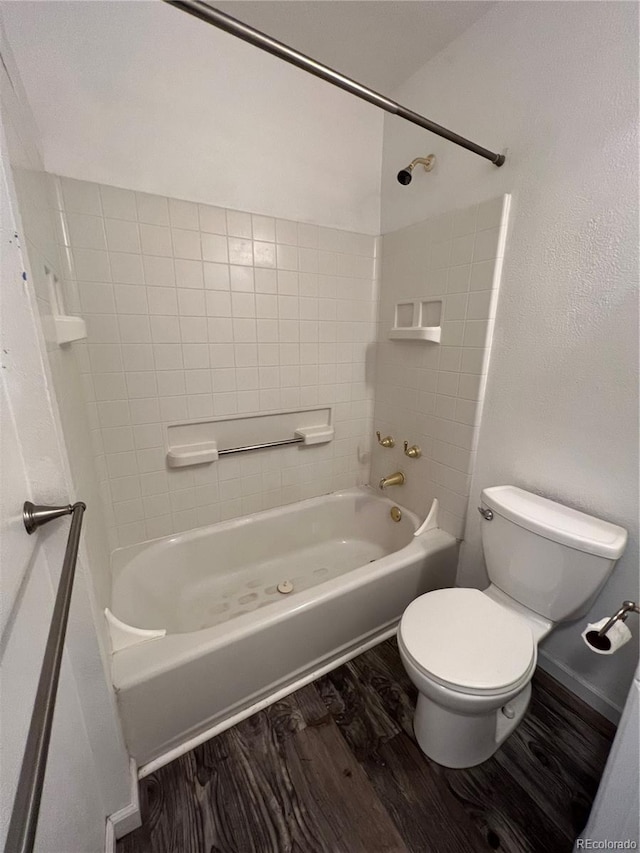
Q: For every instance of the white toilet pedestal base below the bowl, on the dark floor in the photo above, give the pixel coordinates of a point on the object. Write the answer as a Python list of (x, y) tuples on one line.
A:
[(464, 740)]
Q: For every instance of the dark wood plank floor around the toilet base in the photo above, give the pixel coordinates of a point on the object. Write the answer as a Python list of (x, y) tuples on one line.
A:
[(334, 768)]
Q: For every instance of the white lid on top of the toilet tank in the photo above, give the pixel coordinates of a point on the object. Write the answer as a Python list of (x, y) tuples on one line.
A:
[(557, 522)]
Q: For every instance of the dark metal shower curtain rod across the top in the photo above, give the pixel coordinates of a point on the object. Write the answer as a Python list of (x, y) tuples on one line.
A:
[(225, 22)]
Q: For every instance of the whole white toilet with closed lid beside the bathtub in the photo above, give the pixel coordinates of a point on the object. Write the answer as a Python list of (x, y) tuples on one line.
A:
[(472, 653)]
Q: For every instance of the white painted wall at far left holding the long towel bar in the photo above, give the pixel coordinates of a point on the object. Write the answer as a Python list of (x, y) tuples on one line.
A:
[(88, 773)]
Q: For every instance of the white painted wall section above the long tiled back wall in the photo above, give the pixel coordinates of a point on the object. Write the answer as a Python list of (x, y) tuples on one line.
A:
[(143, 96)]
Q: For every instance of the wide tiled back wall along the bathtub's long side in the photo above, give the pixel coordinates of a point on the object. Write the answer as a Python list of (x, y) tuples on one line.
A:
[(196, 312)]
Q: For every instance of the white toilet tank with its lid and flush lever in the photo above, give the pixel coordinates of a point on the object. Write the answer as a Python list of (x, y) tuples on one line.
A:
[(548, 557)]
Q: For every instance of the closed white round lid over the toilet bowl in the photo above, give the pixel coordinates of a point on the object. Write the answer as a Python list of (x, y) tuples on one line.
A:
[(464, 639)]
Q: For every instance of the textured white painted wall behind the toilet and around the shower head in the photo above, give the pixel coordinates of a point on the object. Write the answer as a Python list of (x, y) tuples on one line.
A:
[(557, 84)]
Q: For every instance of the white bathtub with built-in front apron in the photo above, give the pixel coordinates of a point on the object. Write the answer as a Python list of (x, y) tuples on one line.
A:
[(234, 643)]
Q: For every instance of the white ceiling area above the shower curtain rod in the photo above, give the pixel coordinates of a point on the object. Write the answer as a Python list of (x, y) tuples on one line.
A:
[(378, 42)]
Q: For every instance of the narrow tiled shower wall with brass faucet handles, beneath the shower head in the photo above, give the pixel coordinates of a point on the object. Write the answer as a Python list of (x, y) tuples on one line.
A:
[(429, 394)]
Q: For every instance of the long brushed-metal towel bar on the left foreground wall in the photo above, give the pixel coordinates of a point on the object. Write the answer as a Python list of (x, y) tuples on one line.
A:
[(26, 805)]
